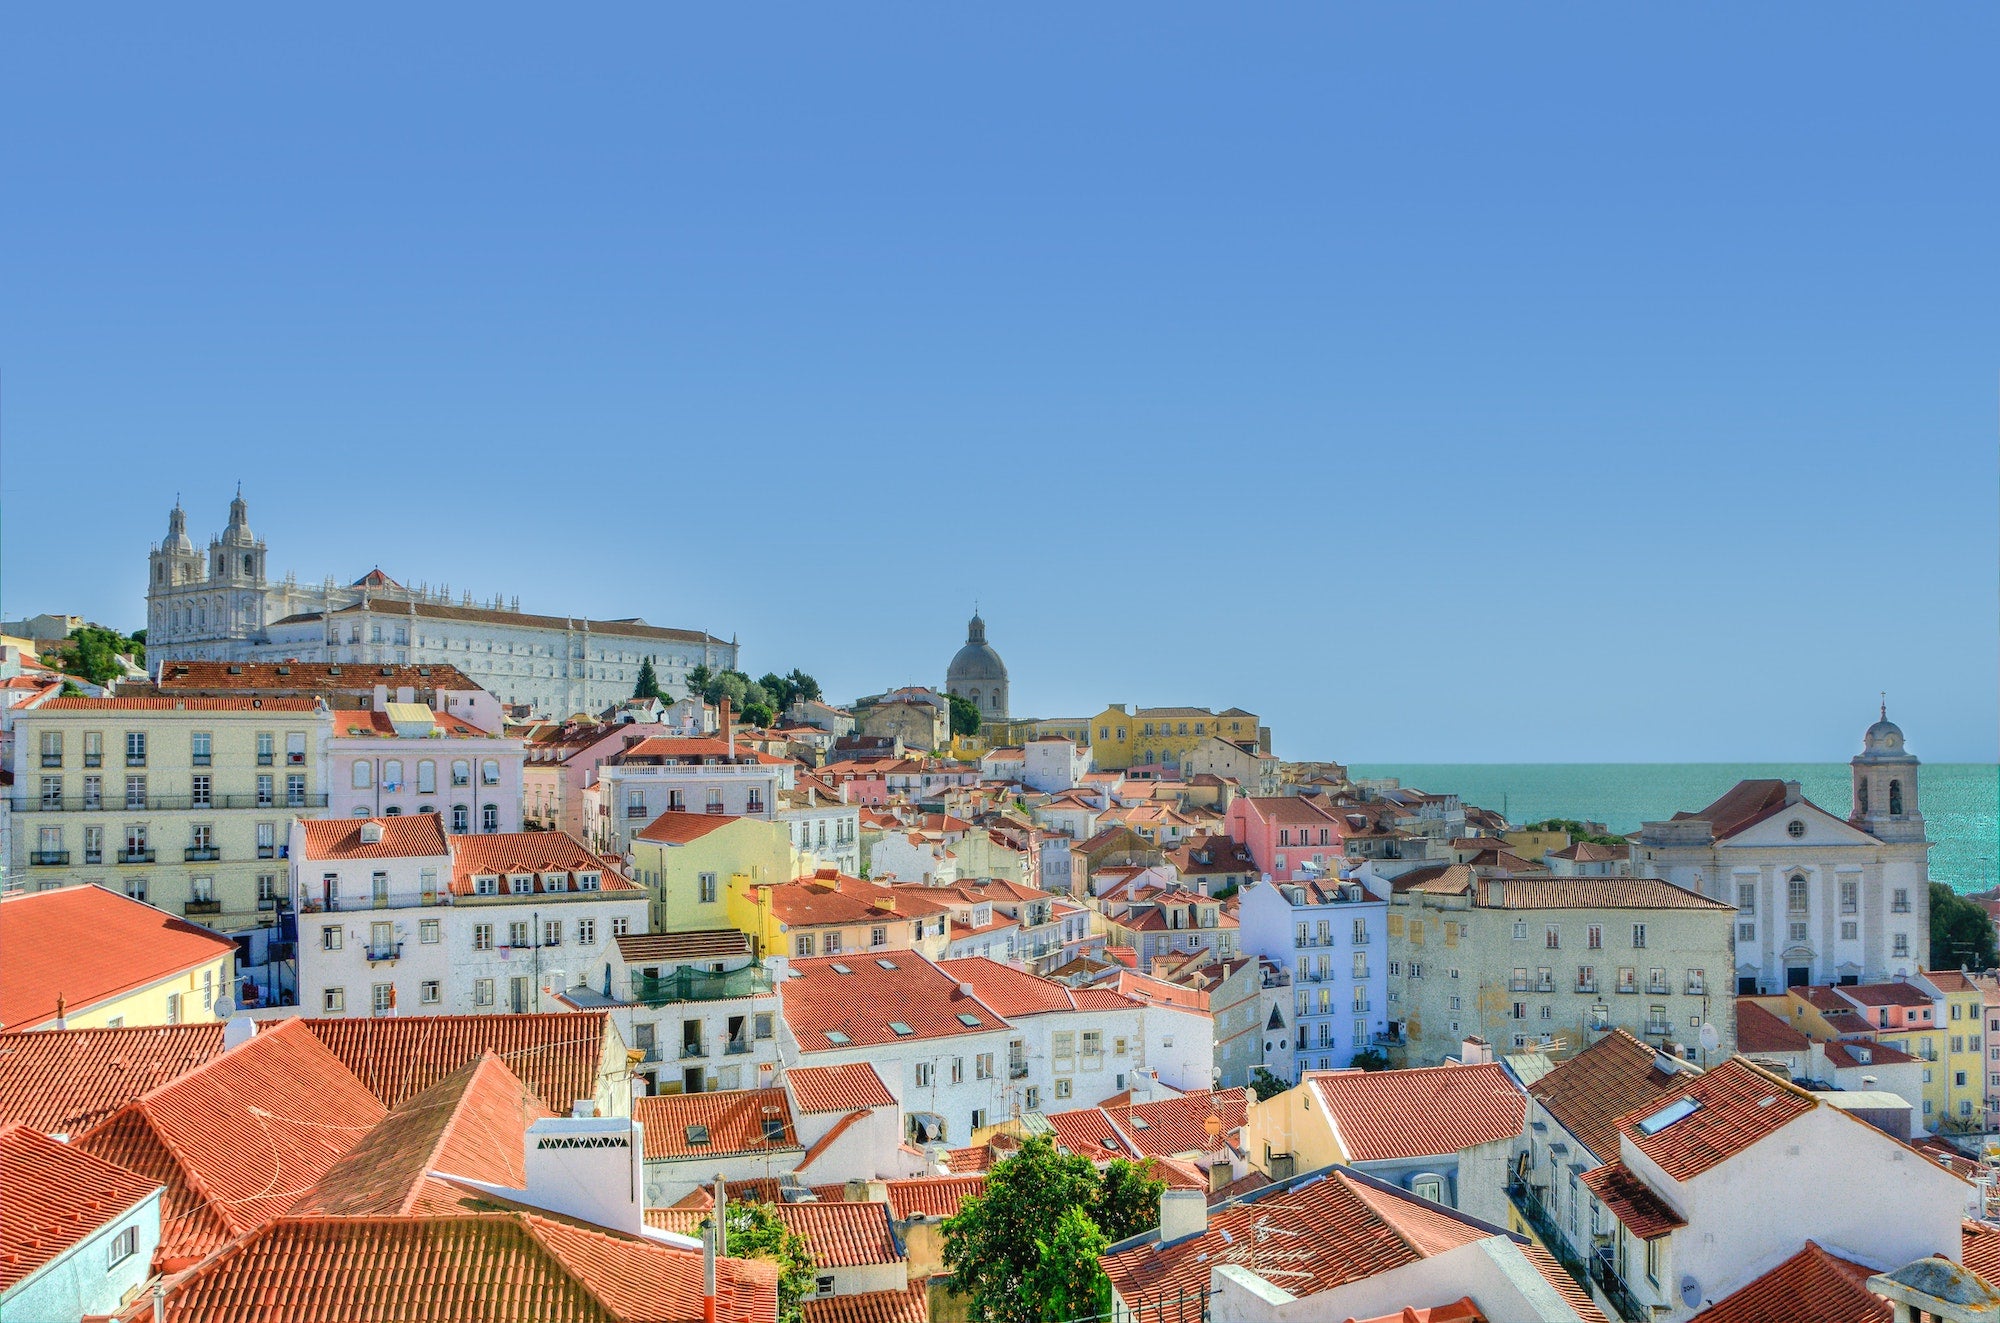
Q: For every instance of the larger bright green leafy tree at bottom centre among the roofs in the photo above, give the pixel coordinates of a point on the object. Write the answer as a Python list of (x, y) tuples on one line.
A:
[(995, 1242)]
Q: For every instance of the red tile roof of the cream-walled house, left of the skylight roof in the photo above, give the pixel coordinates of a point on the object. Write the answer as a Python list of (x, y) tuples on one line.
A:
[(1425, 1112)]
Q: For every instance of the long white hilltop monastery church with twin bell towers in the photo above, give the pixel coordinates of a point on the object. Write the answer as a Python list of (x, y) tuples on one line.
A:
[(221, 607)]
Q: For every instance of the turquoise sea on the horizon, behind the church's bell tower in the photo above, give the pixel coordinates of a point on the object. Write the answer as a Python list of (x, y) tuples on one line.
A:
[(1961, 800)]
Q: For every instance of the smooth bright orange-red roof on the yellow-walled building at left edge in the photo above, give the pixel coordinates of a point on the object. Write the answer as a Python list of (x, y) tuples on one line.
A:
[(85, 946)]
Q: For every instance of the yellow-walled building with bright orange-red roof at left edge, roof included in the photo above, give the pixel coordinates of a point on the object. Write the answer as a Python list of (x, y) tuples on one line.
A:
[(87, 958)]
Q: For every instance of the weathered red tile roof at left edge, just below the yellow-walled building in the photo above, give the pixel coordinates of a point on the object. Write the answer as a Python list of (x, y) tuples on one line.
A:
[(69, 1080)]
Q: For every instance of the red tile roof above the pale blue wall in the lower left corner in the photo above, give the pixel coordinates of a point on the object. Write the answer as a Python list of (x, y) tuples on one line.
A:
[(55, 1198)]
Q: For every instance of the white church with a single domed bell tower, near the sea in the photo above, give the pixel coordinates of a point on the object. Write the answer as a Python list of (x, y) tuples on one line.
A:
[(1819, 898)]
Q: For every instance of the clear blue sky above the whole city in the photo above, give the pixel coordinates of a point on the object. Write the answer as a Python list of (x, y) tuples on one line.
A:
[(1449, 385)]
